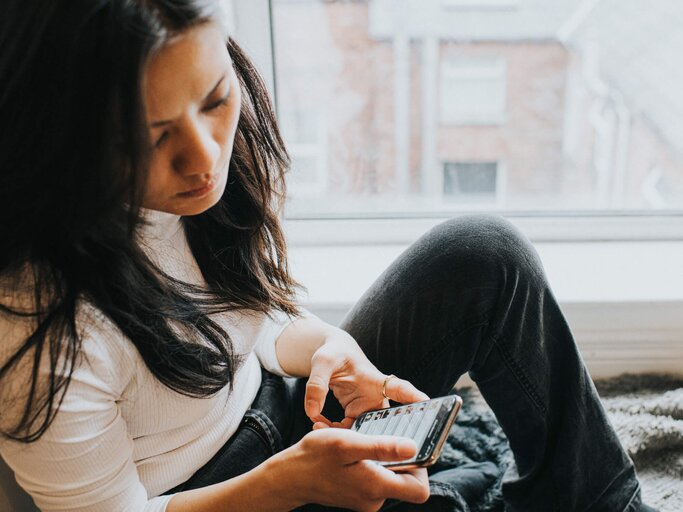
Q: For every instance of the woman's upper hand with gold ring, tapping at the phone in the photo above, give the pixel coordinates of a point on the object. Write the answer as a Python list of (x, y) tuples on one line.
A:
[(340, 365)]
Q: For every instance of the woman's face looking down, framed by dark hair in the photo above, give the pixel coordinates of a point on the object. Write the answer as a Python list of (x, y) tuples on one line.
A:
[(192, 101)]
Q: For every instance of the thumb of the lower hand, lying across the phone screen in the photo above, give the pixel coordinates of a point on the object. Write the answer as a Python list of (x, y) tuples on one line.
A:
[(356, 446)]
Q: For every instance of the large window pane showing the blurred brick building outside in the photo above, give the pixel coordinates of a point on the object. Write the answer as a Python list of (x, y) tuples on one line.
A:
[(443, 106)]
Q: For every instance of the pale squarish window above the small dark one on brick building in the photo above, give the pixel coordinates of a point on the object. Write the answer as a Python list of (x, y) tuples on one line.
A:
[(472, 90)]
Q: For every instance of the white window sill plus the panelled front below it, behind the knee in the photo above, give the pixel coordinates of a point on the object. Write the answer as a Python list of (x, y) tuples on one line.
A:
[(623, 300)]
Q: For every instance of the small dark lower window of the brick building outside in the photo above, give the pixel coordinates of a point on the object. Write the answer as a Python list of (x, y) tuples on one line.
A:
[(471, 181)]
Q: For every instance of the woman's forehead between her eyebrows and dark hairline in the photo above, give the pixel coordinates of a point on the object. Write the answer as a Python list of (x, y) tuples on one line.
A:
[(185, 68)]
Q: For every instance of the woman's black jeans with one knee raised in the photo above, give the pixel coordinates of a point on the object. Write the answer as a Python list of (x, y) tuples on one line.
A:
[(471, 296)]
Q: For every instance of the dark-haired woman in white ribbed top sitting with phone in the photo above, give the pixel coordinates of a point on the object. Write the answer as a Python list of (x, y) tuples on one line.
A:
[(145, 284)]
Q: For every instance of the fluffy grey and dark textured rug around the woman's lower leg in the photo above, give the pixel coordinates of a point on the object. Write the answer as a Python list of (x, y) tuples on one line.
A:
[(646, 411)]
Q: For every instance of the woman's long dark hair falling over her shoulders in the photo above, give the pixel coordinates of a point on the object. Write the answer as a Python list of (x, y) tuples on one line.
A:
[(73, 161)]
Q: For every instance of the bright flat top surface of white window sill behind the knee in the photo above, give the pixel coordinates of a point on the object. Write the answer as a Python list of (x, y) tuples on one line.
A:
[(579, 272)]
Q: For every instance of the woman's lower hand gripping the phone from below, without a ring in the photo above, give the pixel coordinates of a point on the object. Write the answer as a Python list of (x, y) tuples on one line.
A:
[(334, 467)]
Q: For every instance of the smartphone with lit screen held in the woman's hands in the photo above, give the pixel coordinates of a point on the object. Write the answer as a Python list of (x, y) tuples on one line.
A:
[(427, 423)]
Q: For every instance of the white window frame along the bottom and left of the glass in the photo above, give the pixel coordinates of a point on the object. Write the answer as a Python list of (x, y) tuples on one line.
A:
[(255, 33)]
